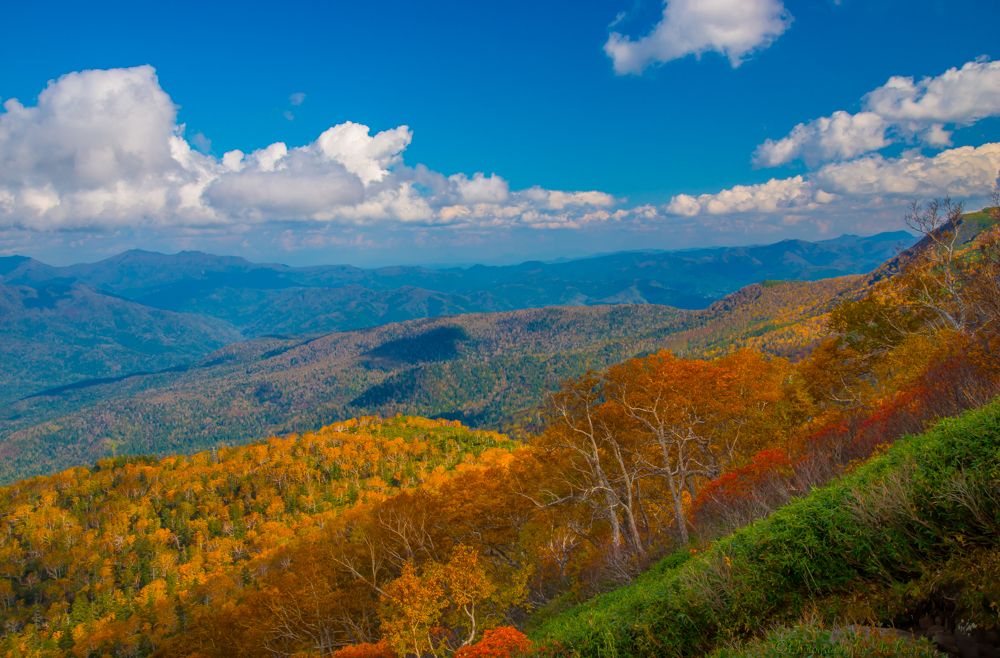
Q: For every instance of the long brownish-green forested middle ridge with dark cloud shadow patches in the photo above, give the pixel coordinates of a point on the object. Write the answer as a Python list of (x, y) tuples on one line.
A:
[(488, 370)]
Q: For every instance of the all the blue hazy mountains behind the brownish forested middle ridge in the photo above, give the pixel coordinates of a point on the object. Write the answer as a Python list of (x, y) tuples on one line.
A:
[(143, 311)]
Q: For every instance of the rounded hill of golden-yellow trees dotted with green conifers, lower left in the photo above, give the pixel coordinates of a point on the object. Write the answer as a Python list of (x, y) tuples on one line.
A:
[(93, 554)]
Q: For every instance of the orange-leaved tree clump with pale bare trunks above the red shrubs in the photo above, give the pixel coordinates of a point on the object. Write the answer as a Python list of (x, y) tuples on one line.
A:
[(614, 443)]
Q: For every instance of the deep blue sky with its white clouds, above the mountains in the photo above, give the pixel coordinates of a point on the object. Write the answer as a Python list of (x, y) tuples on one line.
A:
[(525, 91)]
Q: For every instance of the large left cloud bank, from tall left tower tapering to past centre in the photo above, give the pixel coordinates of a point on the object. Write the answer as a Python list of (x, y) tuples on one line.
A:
[(103, 149)]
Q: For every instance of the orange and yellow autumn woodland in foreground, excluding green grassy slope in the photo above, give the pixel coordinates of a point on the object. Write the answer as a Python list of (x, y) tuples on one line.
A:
[(407, 536)]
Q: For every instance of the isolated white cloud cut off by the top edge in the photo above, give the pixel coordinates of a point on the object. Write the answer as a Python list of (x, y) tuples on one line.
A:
[(733, 28)]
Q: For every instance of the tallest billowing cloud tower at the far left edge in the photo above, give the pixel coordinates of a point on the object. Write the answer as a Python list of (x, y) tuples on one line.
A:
[(96, 146)]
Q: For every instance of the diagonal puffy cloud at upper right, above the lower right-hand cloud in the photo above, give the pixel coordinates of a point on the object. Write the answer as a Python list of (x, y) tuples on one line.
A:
[(901, 109)]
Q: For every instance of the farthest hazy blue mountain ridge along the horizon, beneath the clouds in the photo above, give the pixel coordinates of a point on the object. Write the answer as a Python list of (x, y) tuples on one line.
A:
[(696, 277)]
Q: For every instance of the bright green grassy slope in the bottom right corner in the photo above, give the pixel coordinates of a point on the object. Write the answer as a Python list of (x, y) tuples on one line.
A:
[(873, 545)]
